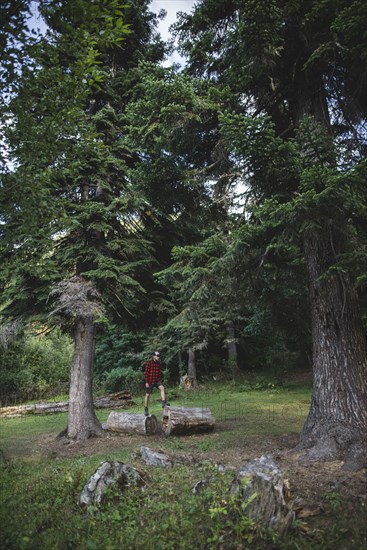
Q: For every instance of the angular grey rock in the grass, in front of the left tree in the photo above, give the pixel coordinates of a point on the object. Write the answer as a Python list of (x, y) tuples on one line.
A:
[(109, 473)]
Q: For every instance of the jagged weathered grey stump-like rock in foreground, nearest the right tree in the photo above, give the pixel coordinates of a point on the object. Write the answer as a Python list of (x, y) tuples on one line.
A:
[(262, 486)]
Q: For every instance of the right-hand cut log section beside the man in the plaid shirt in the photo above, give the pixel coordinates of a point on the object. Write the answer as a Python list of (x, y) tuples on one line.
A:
[(183, 420)]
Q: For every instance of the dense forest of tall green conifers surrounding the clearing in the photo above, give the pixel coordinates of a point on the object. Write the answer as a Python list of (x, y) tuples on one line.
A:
[(216, 211)]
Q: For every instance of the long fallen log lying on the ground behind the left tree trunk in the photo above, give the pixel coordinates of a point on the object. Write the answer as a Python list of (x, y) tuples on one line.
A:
[(115, 400)]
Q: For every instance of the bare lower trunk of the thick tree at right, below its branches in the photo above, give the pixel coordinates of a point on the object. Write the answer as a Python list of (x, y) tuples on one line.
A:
[(336, 427)]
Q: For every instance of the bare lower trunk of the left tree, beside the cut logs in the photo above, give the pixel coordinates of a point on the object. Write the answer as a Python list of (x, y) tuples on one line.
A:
[(82, 421)]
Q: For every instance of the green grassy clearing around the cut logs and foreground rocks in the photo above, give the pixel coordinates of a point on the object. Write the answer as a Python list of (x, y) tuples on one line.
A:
[(40, 490)]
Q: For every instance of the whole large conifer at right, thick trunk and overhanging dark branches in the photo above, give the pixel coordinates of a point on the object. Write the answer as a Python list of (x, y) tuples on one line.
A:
[(298, 74)]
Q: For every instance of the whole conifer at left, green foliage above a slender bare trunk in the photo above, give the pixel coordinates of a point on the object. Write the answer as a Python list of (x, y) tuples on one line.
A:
[(72, 232)]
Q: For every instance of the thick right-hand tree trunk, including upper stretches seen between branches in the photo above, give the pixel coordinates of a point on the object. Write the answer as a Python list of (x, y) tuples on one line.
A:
[(336, 427)]
